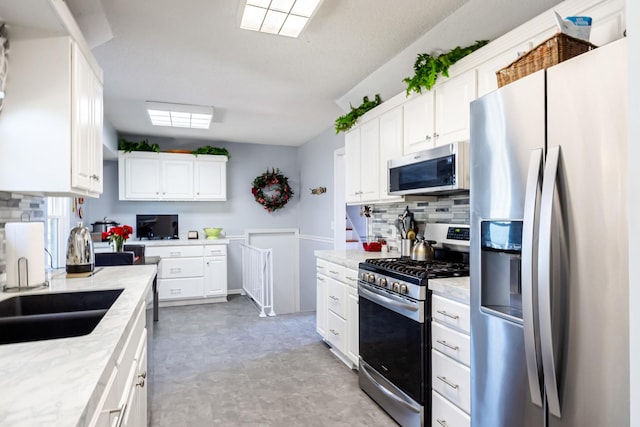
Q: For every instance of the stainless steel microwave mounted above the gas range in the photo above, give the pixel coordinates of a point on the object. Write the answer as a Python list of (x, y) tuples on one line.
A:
[(443, 169)]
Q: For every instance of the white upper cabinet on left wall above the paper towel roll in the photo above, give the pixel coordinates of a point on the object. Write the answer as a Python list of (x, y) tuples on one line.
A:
[(51, 120)]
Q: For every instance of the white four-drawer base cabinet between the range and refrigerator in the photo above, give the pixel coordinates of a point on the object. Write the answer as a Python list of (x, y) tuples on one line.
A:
[(450, 362)]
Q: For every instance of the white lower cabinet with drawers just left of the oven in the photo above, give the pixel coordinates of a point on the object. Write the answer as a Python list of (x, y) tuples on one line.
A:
[(337, 309)]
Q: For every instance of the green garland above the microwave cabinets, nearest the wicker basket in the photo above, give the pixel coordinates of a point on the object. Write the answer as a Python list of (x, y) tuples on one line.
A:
[(427, 67)]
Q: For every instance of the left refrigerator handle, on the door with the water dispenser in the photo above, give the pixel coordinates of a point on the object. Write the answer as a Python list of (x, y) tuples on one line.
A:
[(529, 278)]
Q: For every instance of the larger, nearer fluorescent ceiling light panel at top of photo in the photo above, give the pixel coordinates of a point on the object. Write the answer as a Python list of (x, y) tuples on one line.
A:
[(282, 17)]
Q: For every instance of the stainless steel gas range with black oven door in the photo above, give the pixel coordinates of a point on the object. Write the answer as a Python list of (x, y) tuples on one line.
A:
[(394, 334)]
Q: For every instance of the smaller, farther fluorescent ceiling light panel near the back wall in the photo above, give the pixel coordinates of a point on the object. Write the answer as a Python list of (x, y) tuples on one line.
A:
[(179, 115)]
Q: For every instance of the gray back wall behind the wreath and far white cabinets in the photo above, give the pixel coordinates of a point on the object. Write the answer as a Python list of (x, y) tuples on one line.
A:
[(238, 213)]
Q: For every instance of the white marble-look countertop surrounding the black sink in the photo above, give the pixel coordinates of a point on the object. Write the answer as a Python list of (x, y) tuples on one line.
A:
[(59, 382)]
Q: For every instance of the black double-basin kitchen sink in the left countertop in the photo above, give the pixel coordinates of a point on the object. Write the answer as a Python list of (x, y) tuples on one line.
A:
[(39, 317)]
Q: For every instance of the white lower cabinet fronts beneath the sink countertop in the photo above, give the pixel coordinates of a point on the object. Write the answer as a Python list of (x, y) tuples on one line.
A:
[(124, 399)]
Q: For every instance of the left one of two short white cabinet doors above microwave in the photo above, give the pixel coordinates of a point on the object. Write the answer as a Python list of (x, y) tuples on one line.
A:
[(418, 123)]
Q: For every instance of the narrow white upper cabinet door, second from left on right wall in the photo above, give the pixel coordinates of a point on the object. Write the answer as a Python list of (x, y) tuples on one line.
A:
[(369, 161)]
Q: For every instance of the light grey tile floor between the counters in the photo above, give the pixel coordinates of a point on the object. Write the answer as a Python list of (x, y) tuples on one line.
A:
[(221, 364)]
